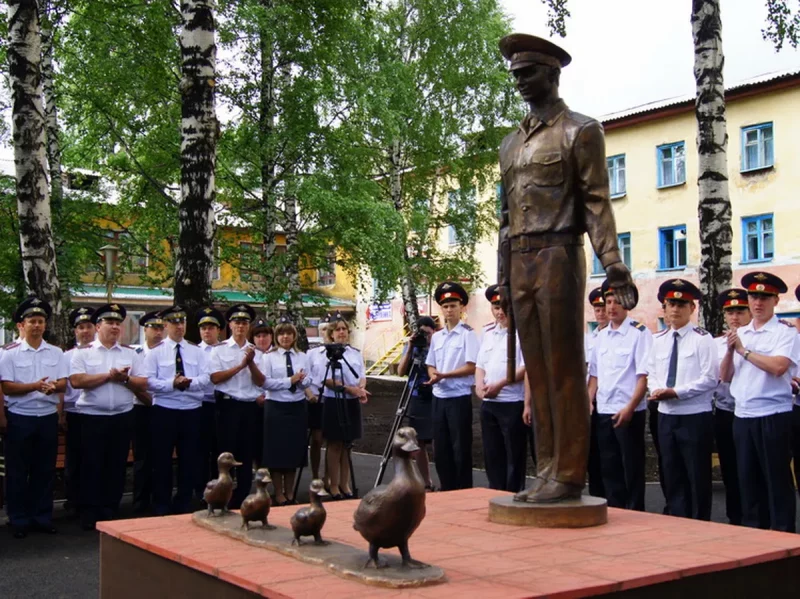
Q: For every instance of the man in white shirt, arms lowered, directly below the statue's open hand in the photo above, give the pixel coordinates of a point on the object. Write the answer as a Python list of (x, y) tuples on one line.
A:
[(618, 381)]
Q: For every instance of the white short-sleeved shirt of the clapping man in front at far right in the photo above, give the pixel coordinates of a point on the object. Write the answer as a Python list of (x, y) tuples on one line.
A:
[(757, 392)]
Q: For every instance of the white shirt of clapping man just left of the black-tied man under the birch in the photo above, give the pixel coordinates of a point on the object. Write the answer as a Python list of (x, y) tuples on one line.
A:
[(109, 398)]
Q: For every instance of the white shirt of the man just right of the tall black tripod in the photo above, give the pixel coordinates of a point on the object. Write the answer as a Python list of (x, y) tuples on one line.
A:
[(449, 351)]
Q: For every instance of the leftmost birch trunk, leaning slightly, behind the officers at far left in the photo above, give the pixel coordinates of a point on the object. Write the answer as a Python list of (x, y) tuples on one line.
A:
[(28, 126)]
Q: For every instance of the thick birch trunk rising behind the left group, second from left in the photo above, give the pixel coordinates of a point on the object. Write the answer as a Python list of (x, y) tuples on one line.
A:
[(199, 131)]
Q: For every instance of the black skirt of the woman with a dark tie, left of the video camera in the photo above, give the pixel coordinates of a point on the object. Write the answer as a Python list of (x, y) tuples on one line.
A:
[(285, 440)]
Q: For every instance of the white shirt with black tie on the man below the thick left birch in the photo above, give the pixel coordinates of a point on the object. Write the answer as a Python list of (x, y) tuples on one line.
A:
[(160, 367)]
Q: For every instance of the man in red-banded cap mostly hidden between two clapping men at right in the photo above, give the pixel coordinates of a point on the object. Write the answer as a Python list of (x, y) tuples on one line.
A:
[(737, 314)]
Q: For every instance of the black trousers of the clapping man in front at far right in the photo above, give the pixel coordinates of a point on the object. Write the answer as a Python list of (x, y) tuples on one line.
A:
[(763, 453)]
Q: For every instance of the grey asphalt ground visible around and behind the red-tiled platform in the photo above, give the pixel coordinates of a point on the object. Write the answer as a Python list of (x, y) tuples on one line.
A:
[(67, 564)]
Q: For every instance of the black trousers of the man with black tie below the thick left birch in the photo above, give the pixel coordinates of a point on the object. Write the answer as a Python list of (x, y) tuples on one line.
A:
[(177, 430)]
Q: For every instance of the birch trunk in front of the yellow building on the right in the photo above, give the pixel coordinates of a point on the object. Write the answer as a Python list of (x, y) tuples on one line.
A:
[(714, 206)]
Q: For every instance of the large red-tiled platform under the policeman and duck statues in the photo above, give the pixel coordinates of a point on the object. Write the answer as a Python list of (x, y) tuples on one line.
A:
[(634, 555)]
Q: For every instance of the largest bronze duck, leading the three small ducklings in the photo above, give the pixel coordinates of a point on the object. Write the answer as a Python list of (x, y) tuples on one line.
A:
[(389, 515)]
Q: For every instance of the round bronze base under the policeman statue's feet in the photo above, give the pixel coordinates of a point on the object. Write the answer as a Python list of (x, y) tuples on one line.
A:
[(574, 513)]
